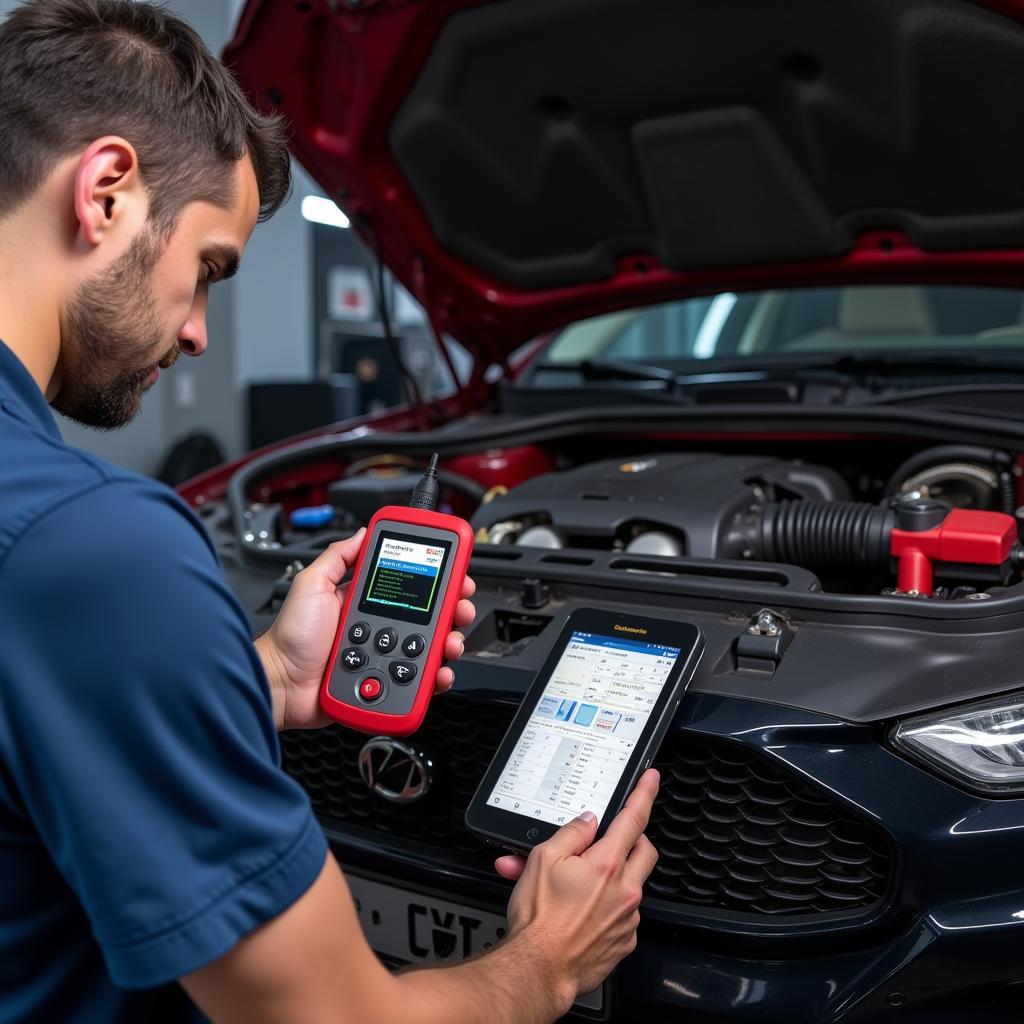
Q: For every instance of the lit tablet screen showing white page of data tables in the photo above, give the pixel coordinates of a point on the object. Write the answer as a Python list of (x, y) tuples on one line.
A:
[(588, 721)]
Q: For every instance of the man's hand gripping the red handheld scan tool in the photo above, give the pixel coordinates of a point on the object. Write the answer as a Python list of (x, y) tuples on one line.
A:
[(296, 648)]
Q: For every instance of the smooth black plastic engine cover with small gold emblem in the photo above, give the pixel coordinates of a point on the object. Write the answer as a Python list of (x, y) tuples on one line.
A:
[(695, 498)]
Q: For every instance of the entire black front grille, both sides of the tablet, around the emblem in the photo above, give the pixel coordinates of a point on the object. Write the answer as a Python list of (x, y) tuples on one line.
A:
[(735, 832)]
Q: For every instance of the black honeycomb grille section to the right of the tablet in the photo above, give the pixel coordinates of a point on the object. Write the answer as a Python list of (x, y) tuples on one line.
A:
[(737, 832)]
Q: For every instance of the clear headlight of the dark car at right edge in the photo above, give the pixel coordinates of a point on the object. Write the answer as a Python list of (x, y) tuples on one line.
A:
[(982, 745)]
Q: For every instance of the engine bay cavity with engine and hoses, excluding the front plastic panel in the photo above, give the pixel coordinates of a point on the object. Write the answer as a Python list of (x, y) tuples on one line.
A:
[(842, 523)]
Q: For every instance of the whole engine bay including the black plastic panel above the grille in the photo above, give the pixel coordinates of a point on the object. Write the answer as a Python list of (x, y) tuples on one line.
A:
[(795, 569)]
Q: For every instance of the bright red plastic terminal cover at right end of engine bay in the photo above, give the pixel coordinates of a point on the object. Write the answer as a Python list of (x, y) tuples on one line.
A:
[(964, 537)]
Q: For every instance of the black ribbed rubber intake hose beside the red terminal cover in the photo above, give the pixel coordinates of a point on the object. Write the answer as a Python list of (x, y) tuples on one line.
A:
[(828, 535)]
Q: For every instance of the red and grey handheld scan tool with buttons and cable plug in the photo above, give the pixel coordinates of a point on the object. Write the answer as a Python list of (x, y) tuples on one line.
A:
[(398, 614)]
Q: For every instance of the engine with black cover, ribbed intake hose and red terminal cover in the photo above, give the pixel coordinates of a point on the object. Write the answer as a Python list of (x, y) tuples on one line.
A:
[(715, 506)]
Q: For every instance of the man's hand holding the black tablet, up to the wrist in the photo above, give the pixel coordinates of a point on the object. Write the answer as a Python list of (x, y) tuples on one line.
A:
[(579, 903)]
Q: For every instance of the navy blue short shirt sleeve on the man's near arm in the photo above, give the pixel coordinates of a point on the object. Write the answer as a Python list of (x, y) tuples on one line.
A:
[(138, 730)]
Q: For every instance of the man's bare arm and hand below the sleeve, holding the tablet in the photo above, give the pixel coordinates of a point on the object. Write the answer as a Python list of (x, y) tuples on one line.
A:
[(573, 917)]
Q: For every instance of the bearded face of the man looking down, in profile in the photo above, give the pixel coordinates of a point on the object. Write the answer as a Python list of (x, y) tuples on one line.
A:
[(135, 318)]
